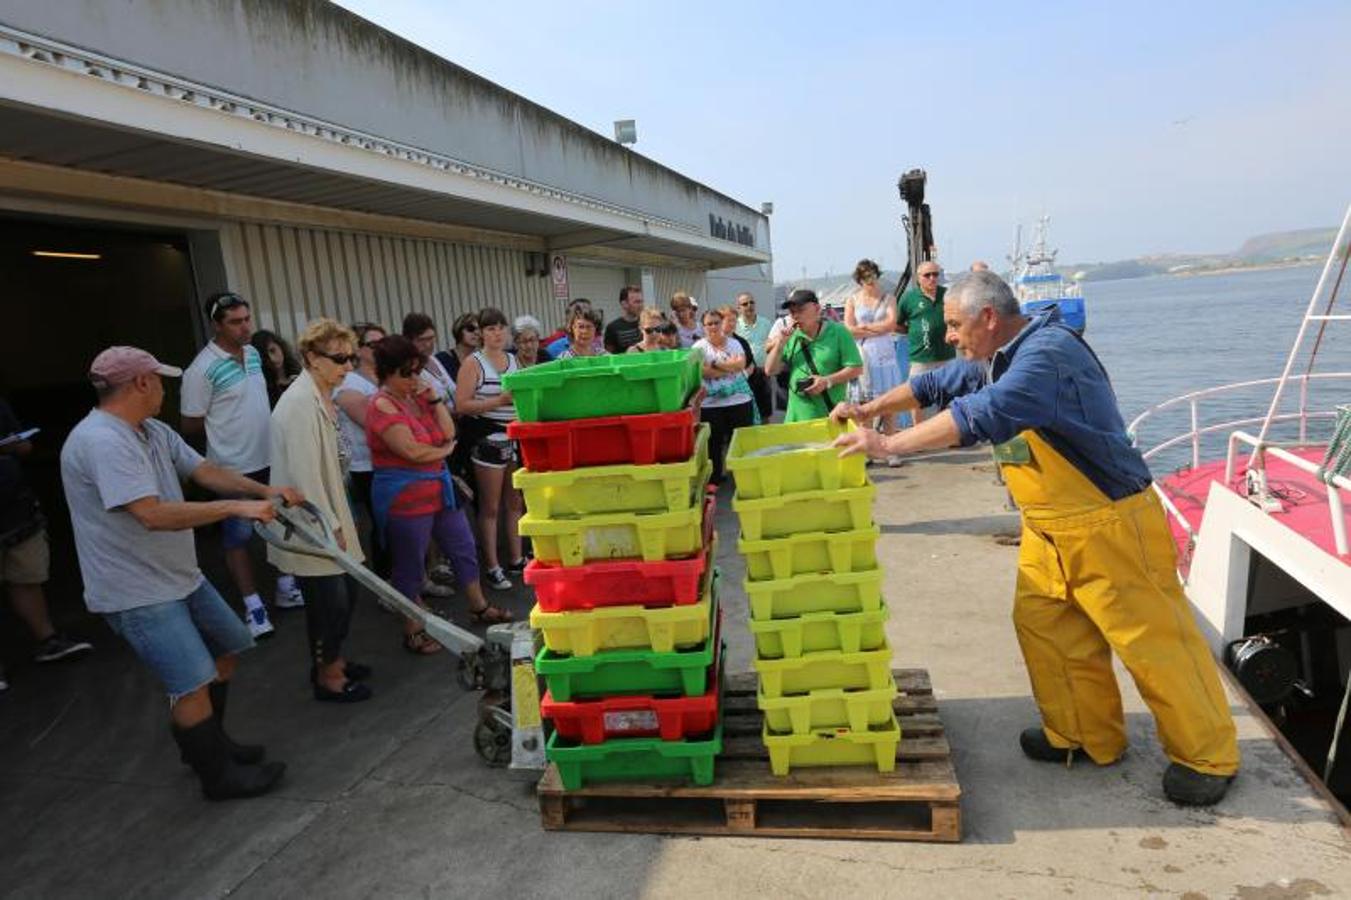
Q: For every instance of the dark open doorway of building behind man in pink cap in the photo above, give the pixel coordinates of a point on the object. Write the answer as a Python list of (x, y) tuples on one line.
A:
[(70, 291)]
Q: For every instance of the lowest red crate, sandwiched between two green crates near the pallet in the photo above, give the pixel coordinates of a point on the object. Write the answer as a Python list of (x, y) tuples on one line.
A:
[(636, 717)]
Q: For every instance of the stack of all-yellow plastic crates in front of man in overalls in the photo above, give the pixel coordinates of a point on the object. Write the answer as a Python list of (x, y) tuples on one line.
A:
[(815, 594)]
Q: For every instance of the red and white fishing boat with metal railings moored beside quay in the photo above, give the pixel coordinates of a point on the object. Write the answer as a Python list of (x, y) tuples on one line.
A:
[(1263, 530)]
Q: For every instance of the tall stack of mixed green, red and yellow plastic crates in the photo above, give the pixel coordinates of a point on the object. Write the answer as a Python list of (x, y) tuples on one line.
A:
[(614, 479)]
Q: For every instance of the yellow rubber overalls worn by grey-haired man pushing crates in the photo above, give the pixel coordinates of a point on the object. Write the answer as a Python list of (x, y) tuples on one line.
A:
[(1099, 575)]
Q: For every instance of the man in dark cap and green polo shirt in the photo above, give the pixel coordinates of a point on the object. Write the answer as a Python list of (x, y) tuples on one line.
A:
[(821, 357)]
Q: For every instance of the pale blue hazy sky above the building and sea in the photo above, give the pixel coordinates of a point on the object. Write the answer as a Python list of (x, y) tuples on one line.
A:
[(1138, 128)]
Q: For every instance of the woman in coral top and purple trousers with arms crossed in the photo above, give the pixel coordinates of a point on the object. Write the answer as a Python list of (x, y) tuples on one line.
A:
[(411, 434)]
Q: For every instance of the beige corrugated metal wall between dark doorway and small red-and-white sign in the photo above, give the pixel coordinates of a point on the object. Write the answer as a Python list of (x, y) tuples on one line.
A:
[(292, 275)]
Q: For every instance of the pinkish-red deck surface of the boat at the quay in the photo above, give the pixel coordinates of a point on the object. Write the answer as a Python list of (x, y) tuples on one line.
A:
[(1304, 498)]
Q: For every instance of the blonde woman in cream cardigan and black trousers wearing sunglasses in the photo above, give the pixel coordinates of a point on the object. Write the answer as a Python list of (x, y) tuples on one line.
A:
[(310, 452)]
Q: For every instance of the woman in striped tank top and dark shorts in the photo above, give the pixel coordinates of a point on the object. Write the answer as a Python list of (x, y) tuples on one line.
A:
[(487, 410)]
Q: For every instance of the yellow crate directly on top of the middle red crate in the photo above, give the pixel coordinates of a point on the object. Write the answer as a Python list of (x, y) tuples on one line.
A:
[(619, 536)]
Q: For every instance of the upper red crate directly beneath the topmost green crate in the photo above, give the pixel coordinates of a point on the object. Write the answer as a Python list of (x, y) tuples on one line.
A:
[(556, 447)]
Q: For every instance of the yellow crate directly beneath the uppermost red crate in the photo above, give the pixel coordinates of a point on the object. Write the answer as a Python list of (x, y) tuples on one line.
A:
[(599, 490)]
